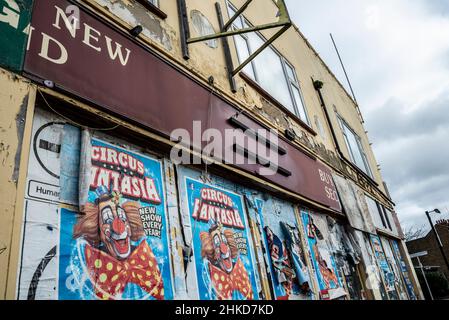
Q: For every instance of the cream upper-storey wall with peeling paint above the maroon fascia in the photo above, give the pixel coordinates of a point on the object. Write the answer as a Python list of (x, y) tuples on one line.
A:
[(207, 59)]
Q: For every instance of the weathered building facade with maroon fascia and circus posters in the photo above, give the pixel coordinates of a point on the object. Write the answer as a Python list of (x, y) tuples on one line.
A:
[(95, 207)]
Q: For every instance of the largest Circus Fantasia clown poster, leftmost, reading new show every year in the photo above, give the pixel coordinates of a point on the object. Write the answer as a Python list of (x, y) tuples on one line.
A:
[(116, 248)]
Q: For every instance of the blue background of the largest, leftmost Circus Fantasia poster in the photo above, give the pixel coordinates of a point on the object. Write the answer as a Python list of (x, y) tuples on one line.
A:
[(74, 280)]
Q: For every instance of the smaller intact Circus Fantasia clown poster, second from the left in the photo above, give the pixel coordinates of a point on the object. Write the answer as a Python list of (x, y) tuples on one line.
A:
[(221, 243)]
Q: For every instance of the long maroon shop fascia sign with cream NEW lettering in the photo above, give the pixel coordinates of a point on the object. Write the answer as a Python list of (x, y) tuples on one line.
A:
[(101, 65)]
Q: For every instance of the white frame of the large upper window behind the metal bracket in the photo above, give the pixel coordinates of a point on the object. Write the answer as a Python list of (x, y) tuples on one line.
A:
[(291, 83)]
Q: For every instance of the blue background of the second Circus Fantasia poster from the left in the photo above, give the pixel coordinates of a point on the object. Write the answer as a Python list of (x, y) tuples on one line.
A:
[(205, 289)]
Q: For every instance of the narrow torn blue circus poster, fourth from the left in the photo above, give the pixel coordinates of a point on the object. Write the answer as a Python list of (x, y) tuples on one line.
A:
[(326, 270)]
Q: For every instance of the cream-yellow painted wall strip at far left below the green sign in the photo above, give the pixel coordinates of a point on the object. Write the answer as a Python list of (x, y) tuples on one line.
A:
[(14, 96)]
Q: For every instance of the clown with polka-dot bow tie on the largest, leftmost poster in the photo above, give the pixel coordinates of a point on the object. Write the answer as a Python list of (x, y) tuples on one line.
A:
[(116, 254)]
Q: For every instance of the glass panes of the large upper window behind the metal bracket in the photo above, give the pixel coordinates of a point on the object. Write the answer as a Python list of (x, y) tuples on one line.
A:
[(269, 69)]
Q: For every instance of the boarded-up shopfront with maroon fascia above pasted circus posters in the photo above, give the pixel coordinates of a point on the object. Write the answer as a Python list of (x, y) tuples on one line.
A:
[(108, 215)]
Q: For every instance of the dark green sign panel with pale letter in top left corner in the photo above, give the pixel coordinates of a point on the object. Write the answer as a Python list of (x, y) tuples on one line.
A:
[(15, 18)]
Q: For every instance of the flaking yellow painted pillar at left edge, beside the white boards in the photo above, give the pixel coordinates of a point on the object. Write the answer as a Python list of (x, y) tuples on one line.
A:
[(16, 96)]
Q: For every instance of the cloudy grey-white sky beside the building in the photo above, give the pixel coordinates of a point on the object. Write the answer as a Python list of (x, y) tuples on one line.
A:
[(397, 55)]
